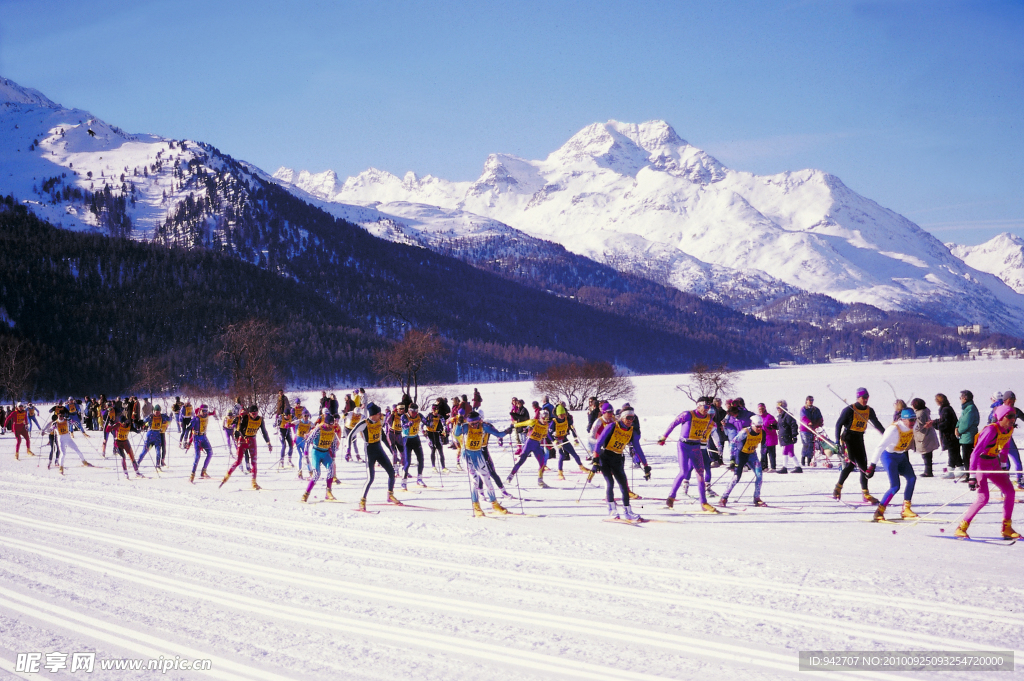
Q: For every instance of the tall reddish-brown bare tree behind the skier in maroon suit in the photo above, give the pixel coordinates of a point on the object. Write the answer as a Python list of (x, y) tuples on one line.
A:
[(250, 351)]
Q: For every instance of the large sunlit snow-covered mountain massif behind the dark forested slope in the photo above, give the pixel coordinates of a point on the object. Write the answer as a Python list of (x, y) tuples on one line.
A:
[(641, 198)]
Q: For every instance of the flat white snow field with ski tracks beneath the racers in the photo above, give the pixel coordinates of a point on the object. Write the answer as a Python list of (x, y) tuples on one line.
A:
[(269, 588)]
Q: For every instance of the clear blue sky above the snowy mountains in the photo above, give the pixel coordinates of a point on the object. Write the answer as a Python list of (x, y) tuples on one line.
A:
[(918, 106)]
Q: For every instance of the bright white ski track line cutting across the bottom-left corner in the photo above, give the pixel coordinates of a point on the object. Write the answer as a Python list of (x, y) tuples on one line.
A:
[(138, 643)]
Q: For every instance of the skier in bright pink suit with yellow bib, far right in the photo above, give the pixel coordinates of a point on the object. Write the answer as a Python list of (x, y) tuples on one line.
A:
[(990, 457)]
